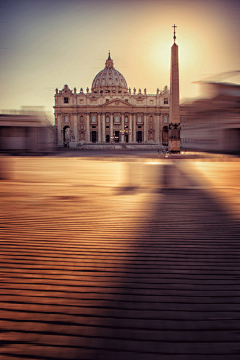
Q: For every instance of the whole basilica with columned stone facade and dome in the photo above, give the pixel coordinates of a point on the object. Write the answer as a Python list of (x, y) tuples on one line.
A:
[(111, 113)]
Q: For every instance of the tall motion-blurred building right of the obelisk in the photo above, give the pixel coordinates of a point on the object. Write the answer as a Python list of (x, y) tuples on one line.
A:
[(212, 123)]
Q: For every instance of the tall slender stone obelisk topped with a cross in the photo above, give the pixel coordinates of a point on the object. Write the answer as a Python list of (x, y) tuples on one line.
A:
[(174, 122)]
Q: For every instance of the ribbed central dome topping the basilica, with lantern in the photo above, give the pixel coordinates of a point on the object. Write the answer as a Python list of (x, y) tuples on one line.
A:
[(109, 77)]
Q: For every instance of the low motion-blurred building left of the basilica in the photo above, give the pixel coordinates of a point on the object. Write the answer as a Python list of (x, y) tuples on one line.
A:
[(26, 130)]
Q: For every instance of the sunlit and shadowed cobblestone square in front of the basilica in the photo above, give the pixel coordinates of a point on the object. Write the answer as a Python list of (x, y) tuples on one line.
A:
[(109, 260)]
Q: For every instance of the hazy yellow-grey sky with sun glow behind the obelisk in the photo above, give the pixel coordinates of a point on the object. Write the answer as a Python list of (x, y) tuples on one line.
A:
[(45, 44)]
